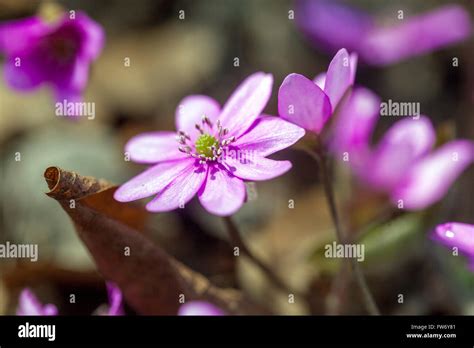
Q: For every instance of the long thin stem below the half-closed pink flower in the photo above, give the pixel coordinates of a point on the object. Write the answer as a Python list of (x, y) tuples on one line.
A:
[(369, 301)]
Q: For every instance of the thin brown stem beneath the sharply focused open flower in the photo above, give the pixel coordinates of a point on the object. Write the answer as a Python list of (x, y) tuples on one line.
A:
[(237, 240)]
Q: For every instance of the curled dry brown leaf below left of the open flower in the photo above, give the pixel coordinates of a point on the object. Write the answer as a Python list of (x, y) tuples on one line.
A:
[(151, 280)]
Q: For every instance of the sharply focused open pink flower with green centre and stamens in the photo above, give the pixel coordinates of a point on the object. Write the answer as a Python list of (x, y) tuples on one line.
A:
[(212, 153)]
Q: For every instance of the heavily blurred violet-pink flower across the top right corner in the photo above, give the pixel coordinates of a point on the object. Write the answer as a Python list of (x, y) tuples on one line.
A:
[(331, 25)]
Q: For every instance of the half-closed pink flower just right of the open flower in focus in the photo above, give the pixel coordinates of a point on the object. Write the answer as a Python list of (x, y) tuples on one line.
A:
[(310, 104)]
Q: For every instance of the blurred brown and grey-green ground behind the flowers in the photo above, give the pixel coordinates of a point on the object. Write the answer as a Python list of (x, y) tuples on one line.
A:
[(215, 46)]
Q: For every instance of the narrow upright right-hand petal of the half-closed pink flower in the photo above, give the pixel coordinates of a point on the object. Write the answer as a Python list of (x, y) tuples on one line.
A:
[(339, 77)]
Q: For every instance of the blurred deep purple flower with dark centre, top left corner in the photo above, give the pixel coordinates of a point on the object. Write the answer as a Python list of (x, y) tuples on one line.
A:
[(58, 54)]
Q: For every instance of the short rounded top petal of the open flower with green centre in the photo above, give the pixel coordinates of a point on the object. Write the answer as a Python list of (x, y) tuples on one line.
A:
[(191, 110)]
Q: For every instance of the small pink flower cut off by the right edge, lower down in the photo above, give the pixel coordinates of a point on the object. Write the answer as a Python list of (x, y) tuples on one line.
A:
[(459, 235)]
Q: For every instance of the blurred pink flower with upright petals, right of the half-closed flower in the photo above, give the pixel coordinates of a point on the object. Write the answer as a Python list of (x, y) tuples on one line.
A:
[(403, 164)]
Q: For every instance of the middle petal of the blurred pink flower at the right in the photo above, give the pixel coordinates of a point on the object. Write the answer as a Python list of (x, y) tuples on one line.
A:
[(403, 144)]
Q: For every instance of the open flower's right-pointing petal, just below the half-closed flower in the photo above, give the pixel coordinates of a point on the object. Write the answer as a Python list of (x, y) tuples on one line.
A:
[(268, 135)]
